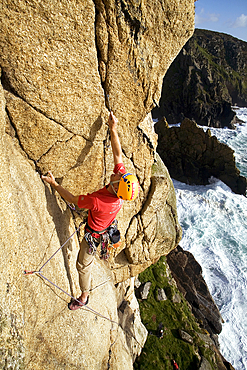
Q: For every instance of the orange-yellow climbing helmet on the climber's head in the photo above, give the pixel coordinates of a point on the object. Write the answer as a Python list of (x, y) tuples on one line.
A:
[(129, 187)]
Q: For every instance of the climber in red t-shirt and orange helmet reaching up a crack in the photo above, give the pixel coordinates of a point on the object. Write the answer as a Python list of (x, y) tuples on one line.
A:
[(103, 206)]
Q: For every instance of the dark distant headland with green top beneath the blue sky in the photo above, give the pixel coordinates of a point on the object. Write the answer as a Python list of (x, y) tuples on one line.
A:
[(206, 78)]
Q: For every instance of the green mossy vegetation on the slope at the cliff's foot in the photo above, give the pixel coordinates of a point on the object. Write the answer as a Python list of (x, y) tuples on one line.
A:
[(158, 352)]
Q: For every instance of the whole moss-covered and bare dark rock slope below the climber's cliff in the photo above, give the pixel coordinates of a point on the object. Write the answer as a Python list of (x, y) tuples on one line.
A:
[(178, 328)]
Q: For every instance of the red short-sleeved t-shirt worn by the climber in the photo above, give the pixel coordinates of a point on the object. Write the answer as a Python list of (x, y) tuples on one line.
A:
[(102, 205)]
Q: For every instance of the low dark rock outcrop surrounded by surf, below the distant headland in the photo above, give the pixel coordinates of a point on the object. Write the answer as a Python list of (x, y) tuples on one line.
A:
[(193, 156)]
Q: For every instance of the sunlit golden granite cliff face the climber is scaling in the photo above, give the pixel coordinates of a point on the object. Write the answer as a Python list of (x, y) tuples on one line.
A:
[(58, 61)]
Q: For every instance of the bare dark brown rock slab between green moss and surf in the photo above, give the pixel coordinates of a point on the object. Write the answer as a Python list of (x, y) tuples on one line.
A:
[(188, 275)]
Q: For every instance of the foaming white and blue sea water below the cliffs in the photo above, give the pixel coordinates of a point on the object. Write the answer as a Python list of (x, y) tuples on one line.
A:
[(214, 223)]
